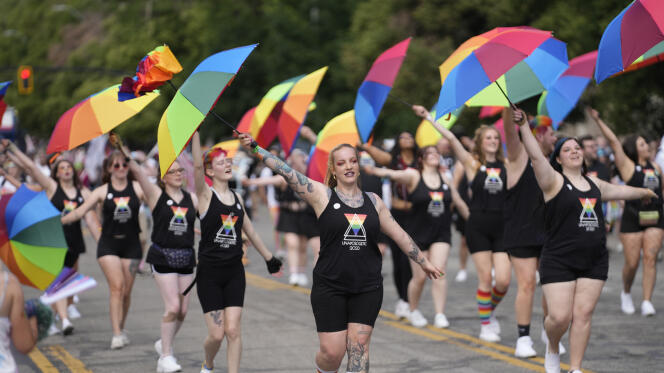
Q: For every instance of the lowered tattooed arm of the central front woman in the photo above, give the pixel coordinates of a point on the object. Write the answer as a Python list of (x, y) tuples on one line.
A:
[(390, 227)]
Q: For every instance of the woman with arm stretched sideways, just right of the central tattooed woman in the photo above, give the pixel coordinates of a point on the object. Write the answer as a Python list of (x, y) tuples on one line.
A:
[(432, 198)]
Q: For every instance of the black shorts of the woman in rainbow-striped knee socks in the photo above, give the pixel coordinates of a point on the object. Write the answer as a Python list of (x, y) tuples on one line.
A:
[(484, 232)]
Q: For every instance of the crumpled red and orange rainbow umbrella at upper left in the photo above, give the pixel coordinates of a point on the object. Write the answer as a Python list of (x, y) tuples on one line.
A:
[(155, 69)]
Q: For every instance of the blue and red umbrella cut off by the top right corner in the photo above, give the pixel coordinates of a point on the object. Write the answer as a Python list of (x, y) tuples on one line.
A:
[(630, 37)]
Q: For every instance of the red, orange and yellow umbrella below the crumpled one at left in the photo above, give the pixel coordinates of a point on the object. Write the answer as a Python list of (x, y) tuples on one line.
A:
[(94, 116)]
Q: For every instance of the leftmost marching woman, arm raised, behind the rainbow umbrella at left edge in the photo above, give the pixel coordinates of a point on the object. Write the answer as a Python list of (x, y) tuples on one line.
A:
[(65, 191)]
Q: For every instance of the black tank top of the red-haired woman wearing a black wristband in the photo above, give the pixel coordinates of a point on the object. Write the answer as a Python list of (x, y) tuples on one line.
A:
[(221, 232)]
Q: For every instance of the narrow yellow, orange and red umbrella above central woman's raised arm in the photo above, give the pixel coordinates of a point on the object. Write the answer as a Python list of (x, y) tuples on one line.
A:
[(295, 108)]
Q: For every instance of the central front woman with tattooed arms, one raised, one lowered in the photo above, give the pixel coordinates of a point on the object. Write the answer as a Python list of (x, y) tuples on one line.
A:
[(347, 286)]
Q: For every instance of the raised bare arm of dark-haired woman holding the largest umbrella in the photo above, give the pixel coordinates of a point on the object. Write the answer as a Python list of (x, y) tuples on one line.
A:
[(548, 179)]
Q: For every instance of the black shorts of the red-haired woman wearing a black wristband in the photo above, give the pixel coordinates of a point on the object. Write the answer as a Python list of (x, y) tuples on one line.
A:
[(219, 287)]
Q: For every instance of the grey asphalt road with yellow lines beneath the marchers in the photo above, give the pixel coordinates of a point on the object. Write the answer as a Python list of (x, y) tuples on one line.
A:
[(279, 334)]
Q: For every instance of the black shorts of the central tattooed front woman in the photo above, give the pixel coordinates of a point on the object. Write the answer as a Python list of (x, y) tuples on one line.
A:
[(334, 309)]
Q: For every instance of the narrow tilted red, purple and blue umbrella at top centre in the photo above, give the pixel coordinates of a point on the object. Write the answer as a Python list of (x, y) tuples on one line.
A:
[(376, 86)]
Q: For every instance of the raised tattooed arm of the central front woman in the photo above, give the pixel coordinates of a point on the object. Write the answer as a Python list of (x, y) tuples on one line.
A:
[(315, 193)]
